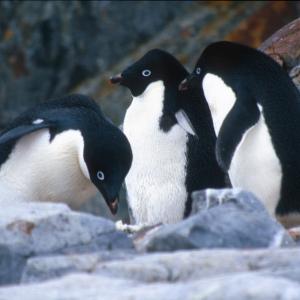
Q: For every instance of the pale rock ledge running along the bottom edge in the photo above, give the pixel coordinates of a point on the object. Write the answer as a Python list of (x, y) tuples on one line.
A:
[(82, 286)]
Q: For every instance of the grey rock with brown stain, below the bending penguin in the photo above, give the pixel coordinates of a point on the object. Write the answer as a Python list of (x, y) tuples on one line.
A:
[(31, 229)]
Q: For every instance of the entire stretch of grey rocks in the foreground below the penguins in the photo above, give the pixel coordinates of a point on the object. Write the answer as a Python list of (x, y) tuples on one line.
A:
[(230, 248)]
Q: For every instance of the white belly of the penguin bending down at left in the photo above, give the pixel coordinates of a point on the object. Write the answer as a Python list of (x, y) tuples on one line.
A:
[(38, 170)]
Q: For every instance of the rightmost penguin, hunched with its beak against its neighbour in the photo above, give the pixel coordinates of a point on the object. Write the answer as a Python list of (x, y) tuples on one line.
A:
[(256, 114)]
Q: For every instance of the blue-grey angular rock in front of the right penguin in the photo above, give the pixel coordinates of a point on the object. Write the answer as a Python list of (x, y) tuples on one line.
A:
[(240, 222)]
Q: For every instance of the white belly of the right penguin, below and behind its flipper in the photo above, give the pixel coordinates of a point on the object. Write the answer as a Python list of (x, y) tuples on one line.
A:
[(255, 166)]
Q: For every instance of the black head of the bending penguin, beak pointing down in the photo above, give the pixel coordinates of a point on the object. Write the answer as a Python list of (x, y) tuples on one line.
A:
[(107, 161)]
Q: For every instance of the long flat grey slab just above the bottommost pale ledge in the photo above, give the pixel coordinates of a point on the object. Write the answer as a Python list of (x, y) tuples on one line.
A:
[(171, 267)]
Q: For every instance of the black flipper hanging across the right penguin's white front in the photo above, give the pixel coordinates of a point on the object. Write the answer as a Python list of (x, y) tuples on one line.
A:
[(240, 118)]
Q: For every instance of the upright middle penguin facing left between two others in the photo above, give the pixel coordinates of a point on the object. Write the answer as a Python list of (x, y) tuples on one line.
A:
[(172, 139)]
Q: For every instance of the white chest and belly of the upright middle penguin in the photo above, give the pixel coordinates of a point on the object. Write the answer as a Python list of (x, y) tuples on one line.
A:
[(156, 181)]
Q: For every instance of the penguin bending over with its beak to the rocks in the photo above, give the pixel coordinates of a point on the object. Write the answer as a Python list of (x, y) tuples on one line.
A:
[(63, 150)]
